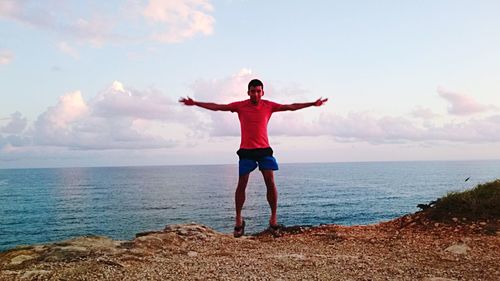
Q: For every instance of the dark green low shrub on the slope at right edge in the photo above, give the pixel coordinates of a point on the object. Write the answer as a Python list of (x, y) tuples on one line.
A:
[(480, 202)]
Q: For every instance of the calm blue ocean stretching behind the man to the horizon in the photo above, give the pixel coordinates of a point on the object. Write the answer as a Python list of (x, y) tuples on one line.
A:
[(45, 205)]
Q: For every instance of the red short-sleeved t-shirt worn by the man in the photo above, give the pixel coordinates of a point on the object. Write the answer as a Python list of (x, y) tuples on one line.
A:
[(253, 122)]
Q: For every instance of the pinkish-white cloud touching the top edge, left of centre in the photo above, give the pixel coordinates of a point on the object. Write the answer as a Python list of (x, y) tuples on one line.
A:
[(179, 20)]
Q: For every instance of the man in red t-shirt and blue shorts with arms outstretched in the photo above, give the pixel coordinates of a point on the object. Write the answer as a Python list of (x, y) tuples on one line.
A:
[(254, 114)]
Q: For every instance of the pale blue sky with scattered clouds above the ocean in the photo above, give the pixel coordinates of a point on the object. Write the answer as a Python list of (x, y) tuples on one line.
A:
[(97, 83)]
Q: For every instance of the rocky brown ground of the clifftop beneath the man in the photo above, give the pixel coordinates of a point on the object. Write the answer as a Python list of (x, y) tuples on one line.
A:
[(408, 248)]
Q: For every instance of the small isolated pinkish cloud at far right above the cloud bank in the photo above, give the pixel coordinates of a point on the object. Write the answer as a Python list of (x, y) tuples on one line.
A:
[(461, 104)]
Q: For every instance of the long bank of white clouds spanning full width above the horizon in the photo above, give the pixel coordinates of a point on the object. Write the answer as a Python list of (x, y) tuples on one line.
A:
[(125, 119)]
